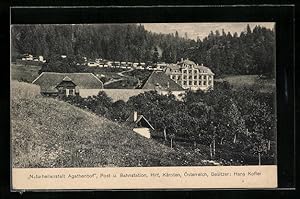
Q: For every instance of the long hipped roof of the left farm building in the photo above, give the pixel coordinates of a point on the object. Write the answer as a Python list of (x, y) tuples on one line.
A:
[(49, 80)]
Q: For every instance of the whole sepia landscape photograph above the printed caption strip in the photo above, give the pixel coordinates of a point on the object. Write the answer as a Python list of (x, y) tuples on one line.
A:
[(143, 95)]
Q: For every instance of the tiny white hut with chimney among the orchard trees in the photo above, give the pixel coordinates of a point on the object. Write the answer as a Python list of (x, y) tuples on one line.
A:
[(140, 124)]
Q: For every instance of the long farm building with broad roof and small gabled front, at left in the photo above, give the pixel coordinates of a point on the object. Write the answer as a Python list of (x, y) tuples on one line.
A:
[(66, 84)]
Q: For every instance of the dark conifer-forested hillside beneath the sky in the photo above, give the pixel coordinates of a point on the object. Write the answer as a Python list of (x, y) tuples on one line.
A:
[(251, 52)]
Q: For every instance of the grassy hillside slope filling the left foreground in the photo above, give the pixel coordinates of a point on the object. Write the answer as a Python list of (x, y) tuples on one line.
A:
[(51, 133)]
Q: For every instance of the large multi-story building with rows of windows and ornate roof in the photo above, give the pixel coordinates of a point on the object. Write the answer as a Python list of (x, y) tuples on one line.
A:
[(190, 75)]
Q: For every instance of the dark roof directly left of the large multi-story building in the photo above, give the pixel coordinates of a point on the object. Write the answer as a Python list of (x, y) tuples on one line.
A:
[(159, 80)]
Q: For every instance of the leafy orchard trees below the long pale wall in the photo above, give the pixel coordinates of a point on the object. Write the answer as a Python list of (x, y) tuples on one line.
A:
[(237, 125)]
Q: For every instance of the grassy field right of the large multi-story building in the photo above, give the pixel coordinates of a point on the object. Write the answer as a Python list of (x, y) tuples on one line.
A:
[(238, 81)]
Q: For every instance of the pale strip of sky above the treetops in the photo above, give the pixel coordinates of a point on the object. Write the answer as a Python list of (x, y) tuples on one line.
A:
[(201, 30)]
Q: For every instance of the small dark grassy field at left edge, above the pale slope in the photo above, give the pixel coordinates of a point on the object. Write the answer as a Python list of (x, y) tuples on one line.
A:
[(25, 73)]
